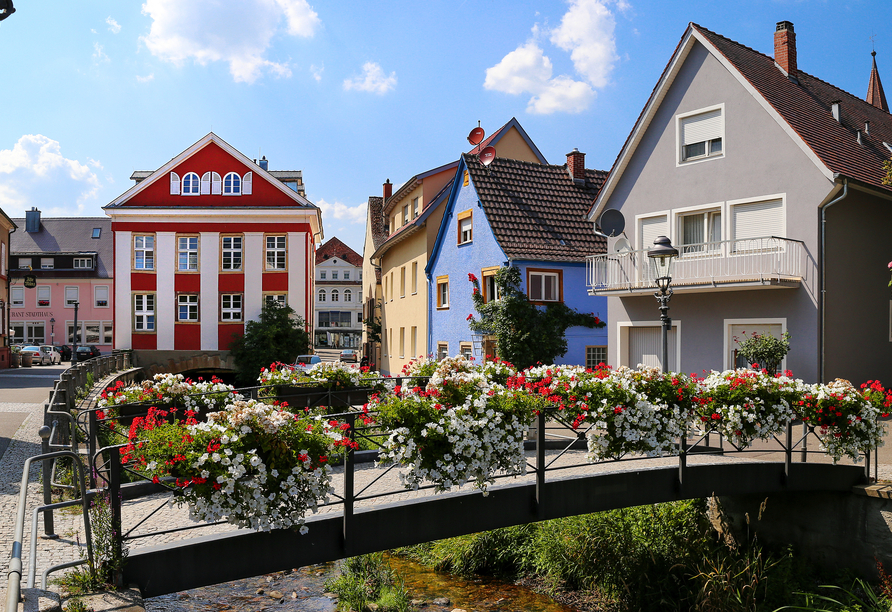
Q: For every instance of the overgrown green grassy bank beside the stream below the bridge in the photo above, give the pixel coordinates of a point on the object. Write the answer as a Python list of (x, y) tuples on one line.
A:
[(662, 557)]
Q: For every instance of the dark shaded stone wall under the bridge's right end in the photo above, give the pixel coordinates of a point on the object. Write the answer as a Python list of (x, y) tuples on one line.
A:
[(835, 530)]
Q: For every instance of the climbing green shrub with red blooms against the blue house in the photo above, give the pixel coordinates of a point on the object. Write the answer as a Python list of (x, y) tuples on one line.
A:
[(526, 334)]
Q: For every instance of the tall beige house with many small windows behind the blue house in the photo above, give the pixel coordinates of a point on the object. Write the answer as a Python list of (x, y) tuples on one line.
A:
[(400, 232)]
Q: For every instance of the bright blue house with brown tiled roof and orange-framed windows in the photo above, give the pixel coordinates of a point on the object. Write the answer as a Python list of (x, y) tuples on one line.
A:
[(515, 213)]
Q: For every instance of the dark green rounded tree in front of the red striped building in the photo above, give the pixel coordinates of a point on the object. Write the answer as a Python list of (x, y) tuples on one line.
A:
[(279, 335)]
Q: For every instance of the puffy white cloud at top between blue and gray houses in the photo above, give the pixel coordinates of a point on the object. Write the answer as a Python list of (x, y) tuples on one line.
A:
[(587, 33)]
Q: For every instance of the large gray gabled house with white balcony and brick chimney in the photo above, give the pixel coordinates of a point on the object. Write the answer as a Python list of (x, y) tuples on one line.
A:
[(769, 182)]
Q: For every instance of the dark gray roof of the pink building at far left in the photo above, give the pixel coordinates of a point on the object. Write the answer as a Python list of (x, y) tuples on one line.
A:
[(68, 235)]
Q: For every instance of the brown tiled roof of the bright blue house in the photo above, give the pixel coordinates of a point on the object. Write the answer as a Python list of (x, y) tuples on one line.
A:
[(537, 211)]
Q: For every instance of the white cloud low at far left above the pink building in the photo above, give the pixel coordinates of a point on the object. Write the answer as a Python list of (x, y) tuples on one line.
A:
[(35, 173)]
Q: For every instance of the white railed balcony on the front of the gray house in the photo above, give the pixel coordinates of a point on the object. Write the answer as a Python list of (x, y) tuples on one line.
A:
[(728, 265)]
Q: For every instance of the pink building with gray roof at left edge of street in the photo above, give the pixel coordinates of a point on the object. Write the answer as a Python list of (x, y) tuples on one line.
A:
[(70, 262)]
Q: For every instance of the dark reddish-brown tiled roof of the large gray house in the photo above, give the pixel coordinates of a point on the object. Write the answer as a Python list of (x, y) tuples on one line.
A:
[(805, 106)]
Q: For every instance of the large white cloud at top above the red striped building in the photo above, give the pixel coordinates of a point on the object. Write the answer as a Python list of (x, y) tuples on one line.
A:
[(210, 31)]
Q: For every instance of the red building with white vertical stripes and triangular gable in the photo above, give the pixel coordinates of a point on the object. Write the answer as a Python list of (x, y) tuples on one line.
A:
[(201, 244)]
